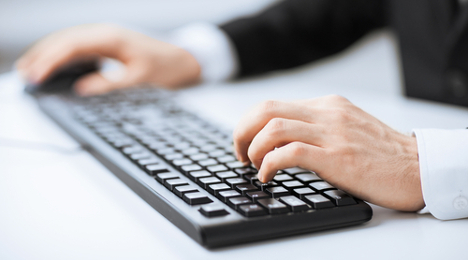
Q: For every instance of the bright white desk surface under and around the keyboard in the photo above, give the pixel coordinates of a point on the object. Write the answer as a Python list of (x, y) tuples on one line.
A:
[(66, 205)]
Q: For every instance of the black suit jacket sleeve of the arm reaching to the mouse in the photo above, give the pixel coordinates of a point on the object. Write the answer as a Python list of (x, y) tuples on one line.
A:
[(295, 32)]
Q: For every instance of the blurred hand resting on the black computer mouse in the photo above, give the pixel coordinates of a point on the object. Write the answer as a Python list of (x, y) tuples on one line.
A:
[(147, 60)]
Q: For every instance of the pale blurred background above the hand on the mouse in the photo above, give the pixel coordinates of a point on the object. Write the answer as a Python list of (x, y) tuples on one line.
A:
[(22, 22)]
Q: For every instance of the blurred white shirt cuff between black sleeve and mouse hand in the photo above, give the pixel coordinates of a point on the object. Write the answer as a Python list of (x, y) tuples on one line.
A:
[(211, 47)]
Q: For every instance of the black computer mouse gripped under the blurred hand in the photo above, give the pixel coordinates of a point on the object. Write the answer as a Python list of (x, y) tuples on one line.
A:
[(63, 79)]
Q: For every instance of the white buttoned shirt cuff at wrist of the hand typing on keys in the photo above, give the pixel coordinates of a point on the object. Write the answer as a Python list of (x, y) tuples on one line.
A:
[(443, 163)]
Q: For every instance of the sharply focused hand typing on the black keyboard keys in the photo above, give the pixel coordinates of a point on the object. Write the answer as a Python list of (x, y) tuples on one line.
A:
[(344, 145)]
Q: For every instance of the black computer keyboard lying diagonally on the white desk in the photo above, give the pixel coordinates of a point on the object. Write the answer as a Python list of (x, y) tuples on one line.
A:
[(184, 167)]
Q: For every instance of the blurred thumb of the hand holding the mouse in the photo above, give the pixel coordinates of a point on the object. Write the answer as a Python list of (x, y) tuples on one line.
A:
[(96, 84)]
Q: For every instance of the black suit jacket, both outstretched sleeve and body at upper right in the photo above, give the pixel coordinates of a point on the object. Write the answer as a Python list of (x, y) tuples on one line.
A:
[(433, 37)]
